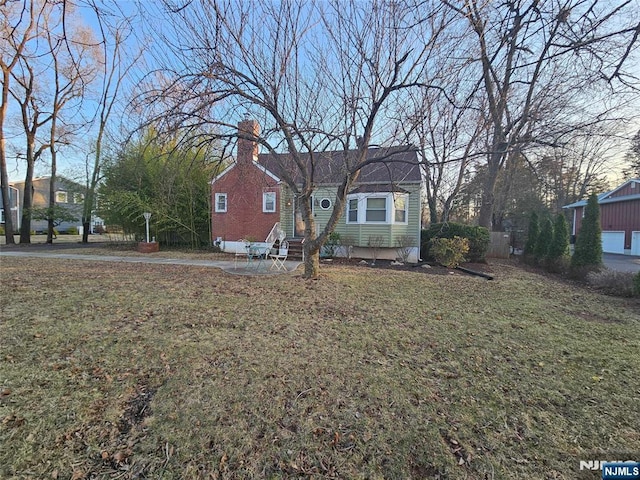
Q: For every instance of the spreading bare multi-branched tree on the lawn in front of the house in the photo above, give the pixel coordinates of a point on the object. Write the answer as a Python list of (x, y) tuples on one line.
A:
[(322, 76)]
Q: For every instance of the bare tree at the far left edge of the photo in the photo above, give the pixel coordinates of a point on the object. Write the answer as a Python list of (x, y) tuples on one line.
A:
[(18, 21)]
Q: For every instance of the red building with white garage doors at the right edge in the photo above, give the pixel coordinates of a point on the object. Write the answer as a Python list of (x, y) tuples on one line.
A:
[(619, 218)]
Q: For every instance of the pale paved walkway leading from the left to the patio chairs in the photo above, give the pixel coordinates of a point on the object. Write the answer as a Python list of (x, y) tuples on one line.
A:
[(225, 265)]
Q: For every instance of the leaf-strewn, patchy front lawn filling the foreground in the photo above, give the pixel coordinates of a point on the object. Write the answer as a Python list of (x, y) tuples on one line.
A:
[(164, 371)]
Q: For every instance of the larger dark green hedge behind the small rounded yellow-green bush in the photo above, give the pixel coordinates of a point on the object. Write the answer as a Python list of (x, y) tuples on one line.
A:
[(478, 239)]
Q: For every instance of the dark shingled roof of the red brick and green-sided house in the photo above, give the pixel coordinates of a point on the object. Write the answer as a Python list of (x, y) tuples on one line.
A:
[(391, 165)]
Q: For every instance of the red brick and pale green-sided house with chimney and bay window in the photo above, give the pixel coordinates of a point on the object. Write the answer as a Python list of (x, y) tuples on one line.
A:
[(250, 199)]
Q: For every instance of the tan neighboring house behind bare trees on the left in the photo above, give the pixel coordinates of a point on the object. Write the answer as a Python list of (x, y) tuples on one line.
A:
[(68, 194)]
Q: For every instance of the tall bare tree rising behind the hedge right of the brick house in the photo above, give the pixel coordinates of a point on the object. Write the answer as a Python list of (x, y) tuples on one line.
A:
[(532, 54)]
